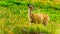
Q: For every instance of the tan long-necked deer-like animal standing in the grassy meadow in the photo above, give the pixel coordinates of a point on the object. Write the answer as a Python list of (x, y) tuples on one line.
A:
[(37, 18)]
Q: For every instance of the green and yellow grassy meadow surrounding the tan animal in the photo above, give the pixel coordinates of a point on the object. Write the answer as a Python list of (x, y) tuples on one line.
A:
[(14, 17)]
